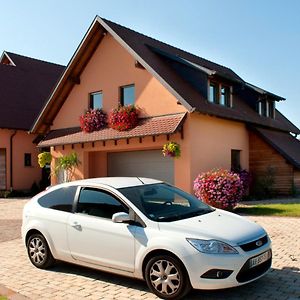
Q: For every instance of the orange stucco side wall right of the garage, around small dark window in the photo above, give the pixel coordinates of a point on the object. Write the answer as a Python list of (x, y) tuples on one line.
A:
[(211, 140)]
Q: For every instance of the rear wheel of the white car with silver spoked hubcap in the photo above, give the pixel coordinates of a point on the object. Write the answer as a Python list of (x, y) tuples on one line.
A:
[(39, 252)]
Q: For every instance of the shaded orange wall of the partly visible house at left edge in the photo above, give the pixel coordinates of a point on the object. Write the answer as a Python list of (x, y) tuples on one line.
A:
[(23, 177)]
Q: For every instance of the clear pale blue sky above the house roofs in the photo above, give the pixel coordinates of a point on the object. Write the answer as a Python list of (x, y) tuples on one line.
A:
[(258, 39)]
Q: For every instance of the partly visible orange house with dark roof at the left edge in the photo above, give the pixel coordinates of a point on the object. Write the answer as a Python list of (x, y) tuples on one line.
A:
[(25, 84)]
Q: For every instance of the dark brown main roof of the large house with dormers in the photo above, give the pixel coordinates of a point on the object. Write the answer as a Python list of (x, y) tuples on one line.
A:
[(177, 78)]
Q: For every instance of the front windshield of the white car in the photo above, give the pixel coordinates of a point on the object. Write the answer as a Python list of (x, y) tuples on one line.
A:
[(164, 203)]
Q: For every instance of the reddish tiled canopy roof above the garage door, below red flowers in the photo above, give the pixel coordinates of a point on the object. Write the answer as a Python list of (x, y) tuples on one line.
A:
[(152, 126)]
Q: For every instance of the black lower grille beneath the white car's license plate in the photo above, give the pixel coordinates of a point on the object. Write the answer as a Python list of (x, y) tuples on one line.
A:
[(247, 273)]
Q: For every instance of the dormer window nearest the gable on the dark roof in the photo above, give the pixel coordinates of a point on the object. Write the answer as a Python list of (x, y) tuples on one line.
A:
[(220, 94)]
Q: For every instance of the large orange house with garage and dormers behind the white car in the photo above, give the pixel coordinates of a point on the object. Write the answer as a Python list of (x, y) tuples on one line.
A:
[(218, 119)]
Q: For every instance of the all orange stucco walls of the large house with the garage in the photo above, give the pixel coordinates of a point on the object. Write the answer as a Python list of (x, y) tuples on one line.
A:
[(207, 141)]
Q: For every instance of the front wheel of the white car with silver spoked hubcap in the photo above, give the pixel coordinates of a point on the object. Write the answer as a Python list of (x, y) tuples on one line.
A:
[(167, 278)]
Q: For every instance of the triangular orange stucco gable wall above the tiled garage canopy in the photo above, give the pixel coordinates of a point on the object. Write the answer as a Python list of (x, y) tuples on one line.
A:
[(111, 67)]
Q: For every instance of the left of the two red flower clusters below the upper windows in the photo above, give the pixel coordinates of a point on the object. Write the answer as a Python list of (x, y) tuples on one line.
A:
[(93, 120)]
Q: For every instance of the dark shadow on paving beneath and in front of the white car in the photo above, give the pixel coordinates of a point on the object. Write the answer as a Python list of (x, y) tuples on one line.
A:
[(276, 284)]
